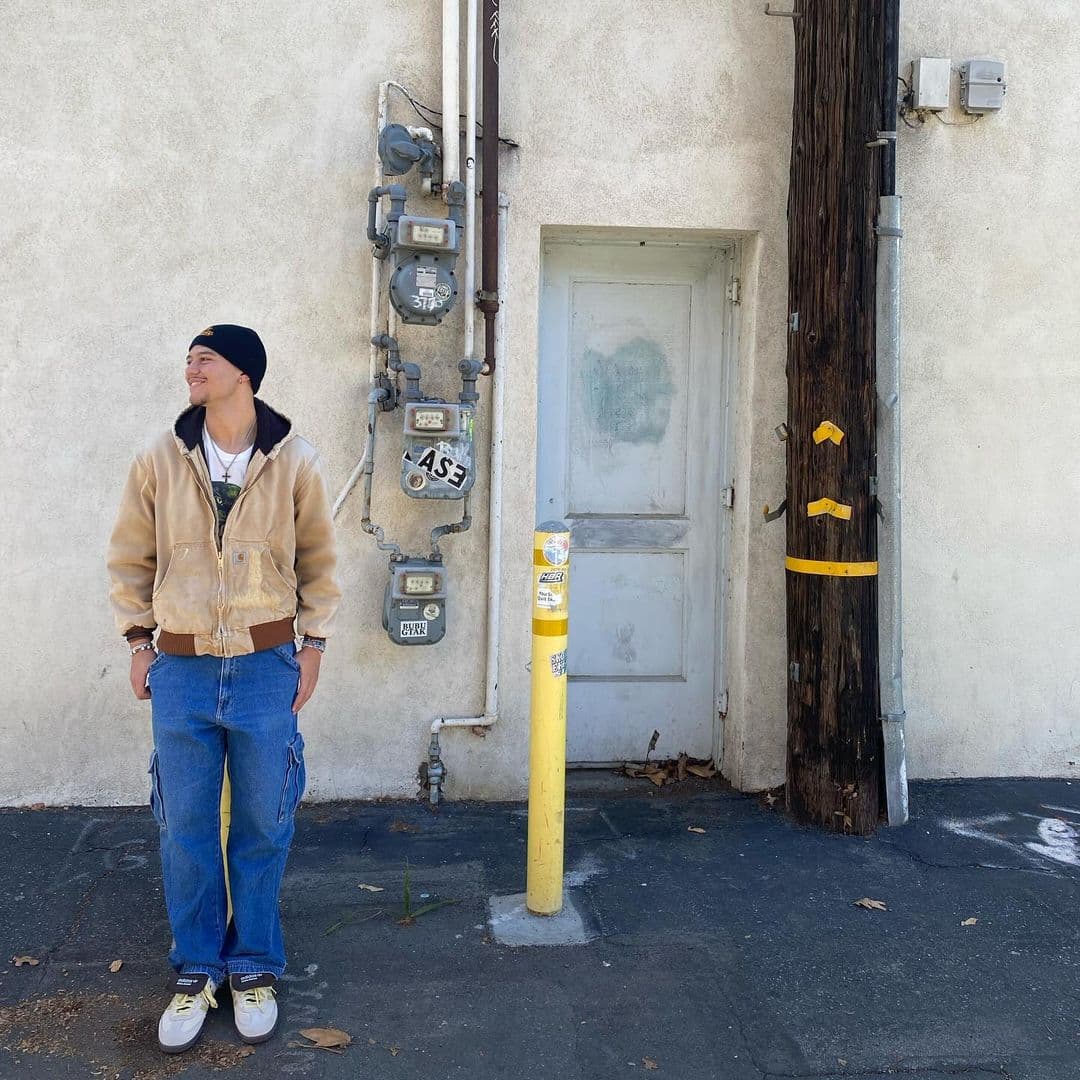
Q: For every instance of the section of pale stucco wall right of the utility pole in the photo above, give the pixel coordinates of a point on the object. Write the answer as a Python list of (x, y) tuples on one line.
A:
[(991, 326)]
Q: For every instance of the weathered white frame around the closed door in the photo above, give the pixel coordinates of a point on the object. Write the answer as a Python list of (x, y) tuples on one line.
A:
[(725, 320)]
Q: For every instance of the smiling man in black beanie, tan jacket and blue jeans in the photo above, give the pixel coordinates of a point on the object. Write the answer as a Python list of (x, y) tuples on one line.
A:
[(224, 538)]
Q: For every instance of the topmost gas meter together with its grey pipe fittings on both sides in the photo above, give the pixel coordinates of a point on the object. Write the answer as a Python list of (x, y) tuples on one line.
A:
[(423, 287)]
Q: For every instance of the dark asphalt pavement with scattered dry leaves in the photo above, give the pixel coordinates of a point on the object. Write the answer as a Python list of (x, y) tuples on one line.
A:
[(719, 940)]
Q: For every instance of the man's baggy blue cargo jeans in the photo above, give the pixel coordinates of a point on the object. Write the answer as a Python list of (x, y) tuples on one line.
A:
[(207, 708)]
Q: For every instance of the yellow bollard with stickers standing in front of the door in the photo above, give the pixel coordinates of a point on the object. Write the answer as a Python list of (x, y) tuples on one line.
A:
[(551, 599)]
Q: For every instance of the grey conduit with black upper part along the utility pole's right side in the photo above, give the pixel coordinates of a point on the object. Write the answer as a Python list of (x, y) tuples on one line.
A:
[(889, 489)]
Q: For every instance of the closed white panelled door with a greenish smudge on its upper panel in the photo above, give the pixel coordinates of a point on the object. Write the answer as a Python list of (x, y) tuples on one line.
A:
[(632, 455)]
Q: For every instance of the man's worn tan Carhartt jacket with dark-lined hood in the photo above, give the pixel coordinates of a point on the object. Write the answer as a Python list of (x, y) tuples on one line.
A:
[(277, 558)]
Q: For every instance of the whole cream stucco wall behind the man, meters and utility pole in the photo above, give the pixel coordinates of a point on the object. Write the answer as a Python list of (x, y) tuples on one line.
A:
[(168, 168)]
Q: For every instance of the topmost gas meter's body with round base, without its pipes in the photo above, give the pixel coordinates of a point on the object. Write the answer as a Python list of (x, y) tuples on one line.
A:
[(423, 288)]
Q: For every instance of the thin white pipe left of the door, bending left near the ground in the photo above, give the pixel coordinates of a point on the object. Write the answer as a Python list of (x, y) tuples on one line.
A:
[(437, 771)]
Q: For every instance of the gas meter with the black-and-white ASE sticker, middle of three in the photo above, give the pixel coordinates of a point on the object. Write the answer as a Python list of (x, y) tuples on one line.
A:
[(439, 462)]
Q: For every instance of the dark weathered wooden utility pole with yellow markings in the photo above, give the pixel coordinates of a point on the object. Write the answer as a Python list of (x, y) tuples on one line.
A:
[(834, 735)]
